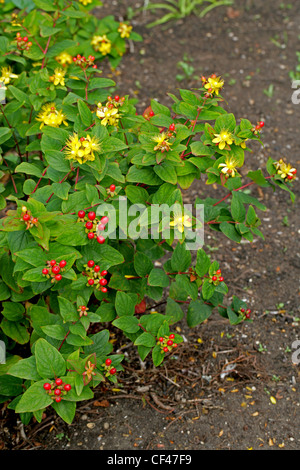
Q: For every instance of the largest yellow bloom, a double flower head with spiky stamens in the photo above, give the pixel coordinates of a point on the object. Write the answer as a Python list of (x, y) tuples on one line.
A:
[(82, 150)]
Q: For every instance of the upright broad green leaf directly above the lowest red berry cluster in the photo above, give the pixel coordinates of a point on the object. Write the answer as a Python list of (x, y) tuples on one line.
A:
[(49, 361)]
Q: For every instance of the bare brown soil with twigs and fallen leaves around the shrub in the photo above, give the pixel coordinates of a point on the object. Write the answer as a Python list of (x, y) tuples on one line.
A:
[(186, 404)]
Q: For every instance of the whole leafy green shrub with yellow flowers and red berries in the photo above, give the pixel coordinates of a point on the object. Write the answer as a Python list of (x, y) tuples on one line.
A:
[(86, 184)]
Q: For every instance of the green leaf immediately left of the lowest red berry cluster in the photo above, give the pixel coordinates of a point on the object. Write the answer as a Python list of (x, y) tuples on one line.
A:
[(35, 398)]
